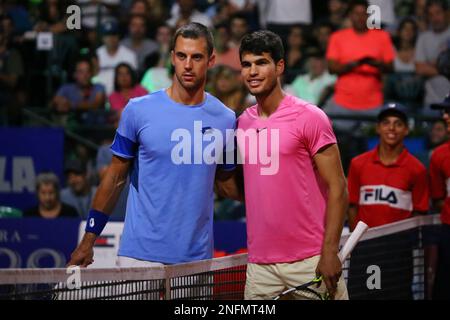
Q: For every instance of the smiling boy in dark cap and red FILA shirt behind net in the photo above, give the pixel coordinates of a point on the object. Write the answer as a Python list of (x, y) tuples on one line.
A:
[(386, 184)]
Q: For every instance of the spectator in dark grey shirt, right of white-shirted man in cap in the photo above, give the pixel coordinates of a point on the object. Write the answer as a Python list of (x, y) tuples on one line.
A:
[(137, 41)]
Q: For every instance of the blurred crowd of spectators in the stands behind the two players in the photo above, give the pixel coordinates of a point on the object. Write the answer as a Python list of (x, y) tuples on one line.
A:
[(122, 51)]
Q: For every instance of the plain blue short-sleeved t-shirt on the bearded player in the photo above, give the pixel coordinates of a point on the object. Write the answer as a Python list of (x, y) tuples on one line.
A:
[(170, 204)]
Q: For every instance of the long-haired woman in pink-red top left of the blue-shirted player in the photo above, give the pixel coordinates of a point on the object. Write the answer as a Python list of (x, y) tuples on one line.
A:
[(126, 87)]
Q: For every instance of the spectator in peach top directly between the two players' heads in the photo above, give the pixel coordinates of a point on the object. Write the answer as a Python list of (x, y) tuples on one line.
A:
[(225, 54)]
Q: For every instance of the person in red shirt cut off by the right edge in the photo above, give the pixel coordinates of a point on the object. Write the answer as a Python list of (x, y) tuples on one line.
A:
[(440, 193)]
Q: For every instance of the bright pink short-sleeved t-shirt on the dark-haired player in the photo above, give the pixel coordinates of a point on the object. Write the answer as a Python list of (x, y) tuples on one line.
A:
[(285, 198)]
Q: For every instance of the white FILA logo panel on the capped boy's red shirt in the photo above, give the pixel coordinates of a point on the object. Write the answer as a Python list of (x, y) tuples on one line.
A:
[(386, 195)]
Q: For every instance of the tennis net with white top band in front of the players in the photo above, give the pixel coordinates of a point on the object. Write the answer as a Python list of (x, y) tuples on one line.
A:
[(395, 251)]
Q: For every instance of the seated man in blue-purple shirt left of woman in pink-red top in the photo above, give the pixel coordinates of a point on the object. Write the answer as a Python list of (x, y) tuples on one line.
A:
[(80, 96)]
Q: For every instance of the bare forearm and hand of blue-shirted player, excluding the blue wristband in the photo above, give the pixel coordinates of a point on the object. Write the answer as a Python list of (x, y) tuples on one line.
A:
[(104, 201)]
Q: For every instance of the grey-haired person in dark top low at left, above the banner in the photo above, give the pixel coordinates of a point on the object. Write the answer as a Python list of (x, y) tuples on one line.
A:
[(50, 205)]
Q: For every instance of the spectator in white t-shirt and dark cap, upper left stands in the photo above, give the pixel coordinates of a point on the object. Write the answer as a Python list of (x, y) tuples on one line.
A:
[(111, 54)]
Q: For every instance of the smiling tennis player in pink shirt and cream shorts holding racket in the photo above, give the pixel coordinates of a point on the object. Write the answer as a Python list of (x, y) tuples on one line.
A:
[(295, 188)]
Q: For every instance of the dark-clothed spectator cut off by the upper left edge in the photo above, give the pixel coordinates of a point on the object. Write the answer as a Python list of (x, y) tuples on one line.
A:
[(11, 70)]
